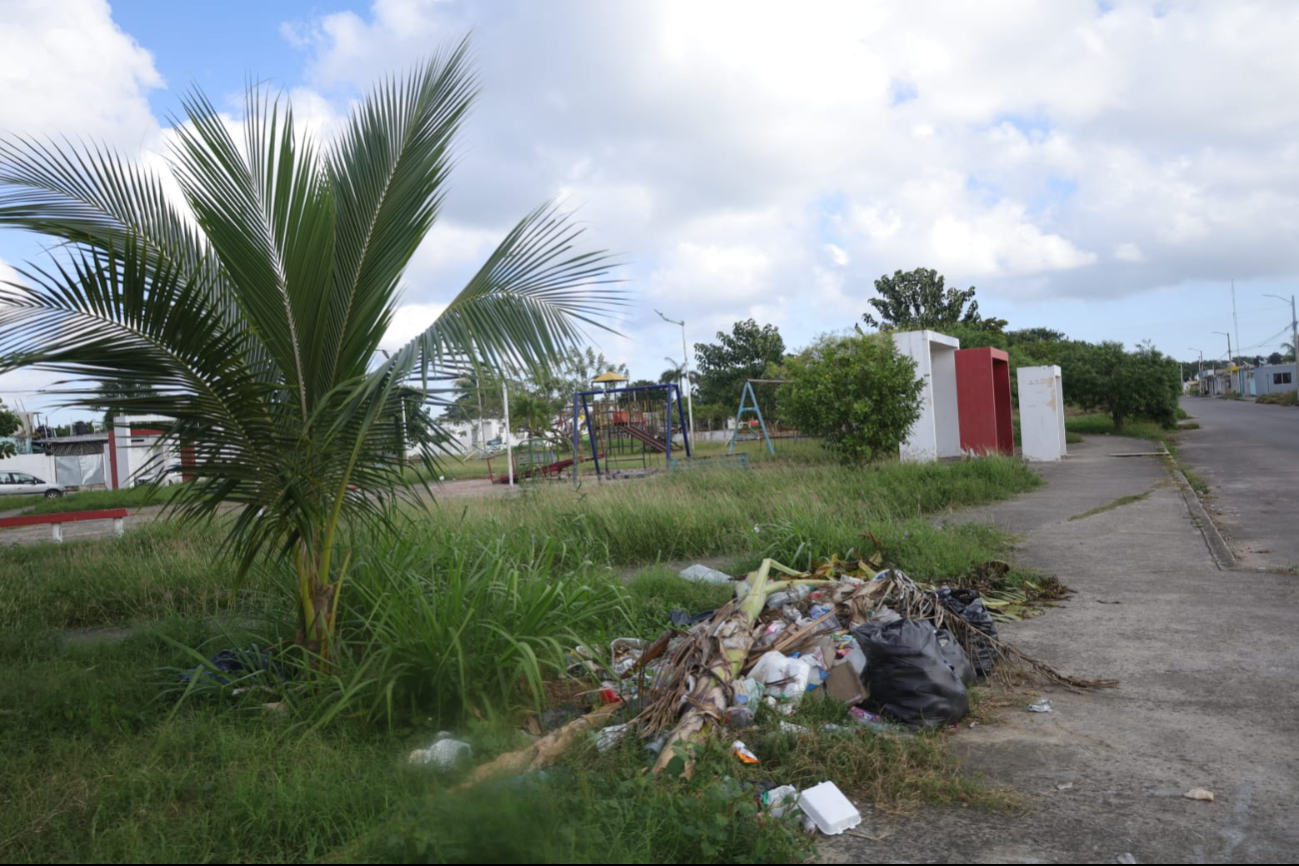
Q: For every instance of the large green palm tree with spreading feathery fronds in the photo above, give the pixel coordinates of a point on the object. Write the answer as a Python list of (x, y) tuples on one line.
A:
[(253, 312)]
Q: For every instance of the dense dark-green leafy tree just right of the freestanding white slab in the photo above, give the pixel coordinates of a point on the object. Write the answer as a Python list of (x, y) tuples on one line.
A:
[(1126, 385)]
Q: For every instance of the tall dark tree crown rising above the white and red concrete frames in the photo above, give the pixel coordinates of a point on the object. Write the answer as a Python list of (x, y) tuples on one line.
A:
[(918, 299)]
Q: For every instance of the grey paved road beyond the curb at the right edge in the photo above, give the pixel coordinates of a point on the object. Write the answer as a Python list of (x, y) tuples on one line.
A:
[(1249, 454)]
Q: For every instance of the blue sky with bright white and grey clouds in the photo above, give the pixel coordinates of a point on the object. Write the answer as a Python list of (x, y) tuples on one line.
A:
[(1100, 168)]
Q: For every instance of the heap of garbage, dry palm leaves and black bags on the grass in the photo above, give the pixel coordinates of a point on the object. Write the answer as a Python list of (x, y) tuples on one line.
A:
[(848, 632)]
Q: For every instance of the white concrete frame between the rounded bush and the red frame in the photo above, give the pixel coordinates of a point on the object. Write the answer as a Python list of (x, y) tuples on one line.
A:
[(937, 432)]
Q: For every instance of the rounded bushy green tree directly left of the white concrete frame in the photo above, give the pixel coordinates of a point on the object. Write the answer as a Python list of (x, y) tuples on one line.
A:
[(858, 394)]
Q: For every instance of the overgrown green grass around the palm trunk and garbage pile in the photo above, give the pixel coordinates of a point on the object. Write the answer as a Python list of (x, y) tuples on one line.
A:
[(103, 763)]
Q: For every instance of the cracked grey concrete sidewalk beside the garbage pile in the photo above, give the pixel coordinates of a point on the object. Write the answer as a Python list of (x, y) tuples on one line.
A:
[(1209, 698)]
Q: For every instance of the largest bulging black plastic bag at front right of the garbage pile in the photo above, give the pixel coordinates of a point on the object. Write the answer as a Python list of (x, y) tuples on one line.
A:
[(910, 674)]
